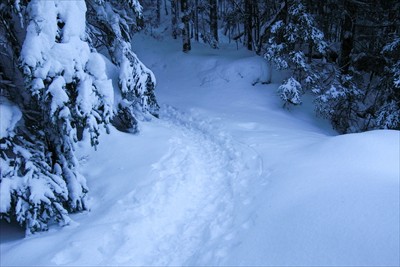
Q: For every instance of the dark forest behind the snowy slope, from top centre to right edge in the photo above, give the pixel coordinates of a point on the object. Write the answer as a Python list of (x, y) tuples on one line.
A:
[(346, 53)]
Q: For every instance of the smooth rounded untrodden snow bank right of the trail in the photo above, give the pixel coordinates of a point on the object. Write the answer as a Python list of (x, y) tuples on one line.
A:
[(335, 203)]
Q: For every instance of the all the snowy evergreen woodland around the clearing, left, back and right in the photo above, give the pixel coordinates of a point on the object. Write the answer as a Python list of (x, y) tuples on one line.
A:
[(53, 75)]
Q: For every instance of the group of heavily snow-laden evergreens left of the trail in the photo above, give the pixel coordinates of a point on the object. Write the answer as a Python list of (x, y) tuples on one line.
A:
[(64, 96)]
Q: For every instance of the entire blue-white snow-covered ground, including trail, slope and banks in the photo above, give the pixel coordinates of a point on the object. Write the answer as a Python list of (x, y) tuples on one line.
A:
[(226, 176)]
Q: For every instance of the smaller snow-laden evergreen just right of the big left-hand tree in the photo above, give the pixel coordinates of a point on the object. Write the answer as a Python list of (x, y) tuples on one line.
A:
[(111, 25)]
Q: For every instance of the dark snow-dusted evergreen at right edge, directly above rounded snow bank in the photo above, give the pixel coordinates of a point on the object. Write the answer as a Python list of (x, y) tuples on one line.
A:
[(363, 94)]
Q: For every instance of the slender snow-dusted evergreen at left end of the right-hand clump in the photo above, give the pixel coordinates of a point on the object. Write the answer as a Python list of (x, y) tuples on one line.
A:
[(293, 41)]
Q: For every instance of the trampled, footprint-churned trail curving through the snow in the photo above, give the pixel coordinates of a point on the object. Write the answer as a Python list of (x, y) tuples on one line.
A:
[(187, 215)]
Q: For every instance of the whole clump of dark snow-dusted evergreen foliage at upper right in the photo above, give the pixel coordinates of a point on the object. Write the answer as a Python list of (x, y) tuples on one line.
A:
[(357, 92)]
